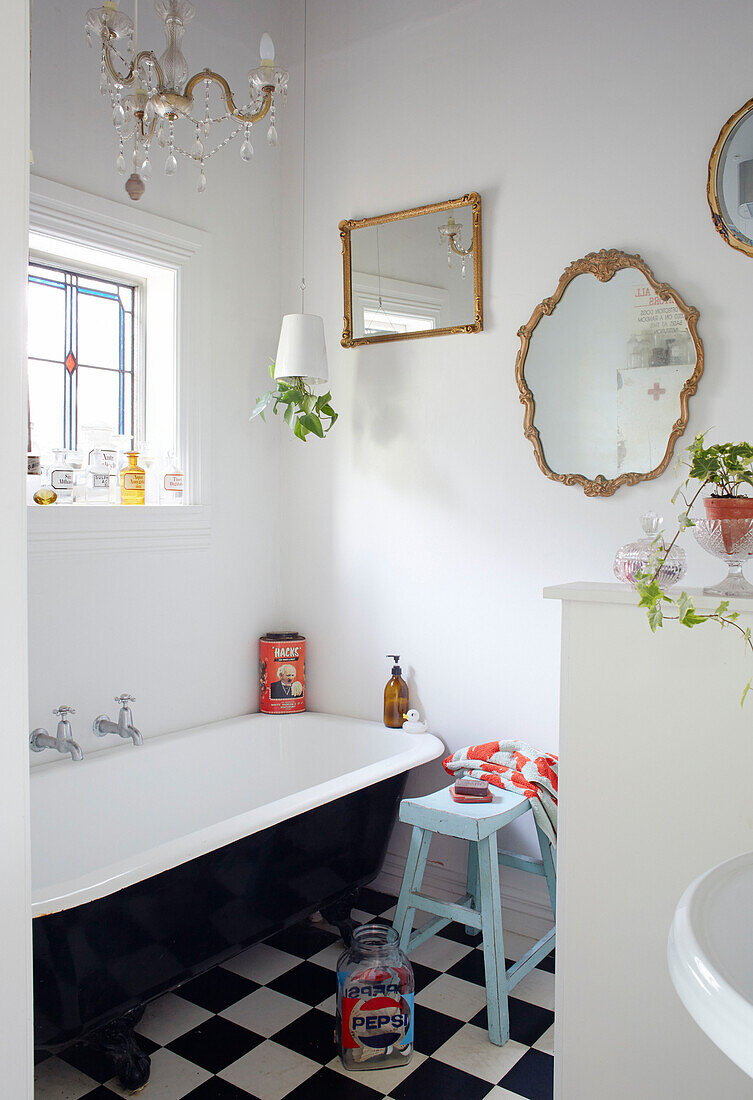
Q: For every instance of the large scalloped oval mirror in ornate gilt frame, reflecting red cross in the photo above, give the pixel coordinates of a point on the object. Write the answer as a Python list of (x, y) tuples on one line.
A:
[(605, 370)]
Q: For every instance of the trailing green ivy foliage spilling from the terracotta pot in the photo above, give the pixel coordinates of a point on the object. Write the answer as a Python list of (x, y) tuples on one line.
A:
[(726, 467)]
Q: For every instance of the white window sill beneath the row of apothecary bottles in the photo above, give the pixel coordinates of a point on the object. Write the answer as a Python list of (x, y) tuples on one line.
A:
[(76, 529)]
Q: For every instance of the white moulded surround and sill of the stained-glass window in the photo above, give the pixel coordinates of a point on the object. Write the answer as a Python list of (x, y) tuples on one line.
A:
[(72, 216)]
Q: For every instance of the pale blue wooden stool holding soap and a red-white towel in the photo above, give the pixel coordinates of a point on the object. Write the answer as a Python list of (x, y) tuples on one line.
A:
[(481, 907)]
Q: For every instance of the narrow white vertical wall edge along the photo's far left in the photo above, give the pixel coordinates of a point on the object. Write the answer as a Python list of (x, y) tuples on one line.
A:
[(16, 1003)]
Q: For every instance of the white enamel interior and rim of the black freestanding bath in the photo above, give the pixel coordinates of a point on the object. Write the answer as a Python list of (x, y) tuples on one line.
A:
[(128, 813)]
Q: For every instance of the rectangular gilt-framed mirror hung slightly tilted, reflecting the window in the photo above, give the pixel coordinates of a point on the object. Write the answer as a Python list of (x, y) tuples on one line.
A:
[(415, 273)]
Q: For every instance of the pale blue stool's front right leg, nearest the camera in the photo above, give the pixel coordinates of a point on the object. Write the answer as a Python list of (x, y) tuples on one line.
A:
[(494, 943)]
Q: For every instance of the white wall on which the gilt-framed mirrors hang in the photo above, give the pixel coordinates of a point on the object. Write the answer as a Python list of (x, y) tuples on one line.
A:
[(423, 524)]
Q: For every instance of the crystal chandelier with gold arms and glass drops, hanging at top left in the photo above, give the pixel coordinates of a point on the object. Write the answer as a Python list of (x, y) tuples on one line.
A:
[(149, 95)]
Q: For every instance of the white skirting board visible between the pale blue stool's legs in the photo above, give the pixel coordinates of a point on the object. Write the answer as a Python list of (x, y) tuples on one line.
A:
[(526, 908)]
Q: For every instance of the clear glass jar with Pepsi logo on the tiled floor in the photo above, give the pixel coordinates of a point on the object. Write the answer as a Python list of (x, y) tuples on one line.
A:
[(375, 1002)]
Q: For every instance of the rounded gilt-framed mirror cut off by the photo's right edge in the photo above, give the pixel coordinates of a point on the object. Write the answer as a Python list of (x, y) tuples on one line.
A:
[(730, 186)]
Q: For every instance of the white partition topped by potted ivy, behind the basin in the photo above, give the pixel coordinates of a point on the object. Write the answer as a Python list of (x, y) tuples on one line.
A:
[(656, 764)]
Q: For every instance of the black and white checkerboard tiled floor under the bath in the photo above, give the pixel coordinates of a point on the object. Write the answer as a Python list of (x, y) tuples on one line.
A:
[(262, 1026)]
